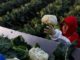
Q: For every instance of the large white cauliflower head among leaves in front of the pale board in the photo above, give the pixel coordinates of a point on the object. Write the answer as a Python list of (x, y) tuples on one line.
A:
[(38, 54)]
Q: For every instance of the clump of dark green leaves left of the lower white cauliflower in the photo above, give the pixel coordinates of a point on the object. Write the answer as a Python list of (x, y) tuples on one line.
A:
[(16, 47)]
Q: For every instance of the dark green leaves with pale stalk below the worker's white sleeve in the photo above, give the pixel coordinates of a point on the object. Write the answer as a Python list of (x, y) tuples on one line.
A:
[(64, 52)]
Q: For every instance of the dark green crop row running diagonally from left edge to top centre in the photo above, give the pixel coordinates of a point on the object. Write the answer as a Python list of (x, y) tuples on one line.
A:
[(23, 14)]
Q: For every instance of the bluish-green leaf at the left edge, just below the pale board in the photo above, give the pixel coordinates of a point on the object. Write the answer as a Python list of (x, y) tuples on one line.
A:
[(5, 44)]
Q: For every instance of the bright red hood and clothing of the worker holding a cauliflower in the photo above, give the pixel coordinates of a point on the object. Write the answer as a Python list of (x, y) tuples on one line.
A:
[(71, 33)]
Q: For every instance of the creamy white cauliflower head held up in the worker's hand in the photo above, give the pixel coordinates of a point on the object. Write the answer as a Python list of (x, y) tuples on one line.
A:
[(49, 19)]
